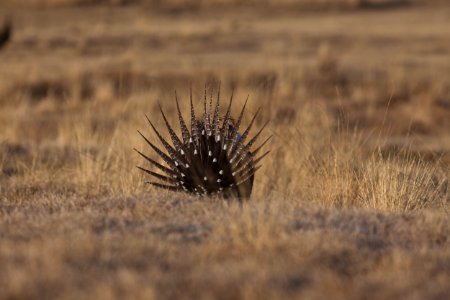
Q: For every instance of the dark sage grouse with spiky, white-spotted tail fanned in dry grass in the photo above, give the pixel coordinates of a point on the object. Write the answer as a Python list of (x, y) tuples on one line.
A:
[(212, 158)]
